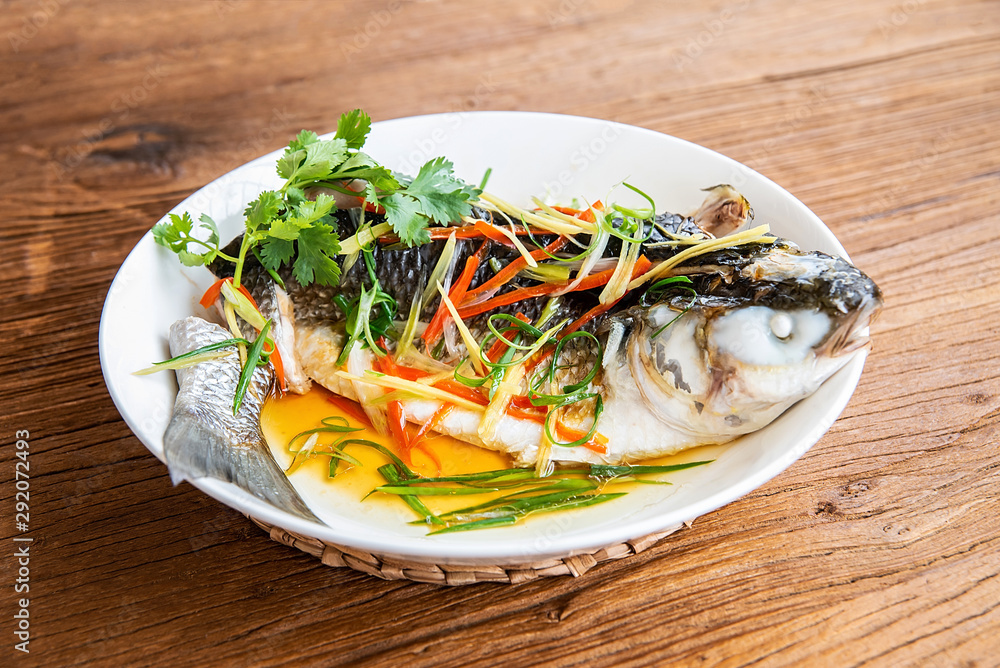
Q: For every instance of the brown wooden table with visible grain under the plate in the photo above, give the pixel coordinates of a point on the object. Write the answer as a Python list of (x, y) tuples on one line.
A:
[(879, 547)]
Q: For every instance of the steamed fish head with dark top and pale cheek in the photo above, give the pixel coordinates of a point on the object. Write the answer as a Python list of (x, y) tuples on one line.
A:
[(766, 327)]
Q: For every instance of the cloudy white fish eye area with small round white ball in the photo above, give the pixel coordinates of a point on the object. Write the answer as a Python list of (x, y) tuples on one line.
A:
[(762, 336)]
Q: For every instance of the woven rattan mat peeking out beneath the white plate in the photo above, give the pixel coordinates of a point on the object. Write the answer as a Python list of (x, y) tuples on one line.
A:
[(389, 568)]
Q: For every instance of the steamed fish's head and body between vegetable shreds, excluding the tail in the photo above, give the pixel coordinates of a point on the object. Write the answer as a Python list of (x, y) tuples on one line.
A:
[(770, 323)]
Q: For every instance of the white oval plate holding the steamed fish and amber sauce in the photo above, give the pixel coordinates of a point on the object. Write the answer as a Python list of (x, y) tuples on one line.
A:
[(530, 154)]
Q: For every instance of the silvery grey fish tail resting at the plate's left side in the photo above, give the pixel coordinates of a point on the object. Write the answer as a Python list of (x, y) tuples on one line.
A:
[(205, 439)]
